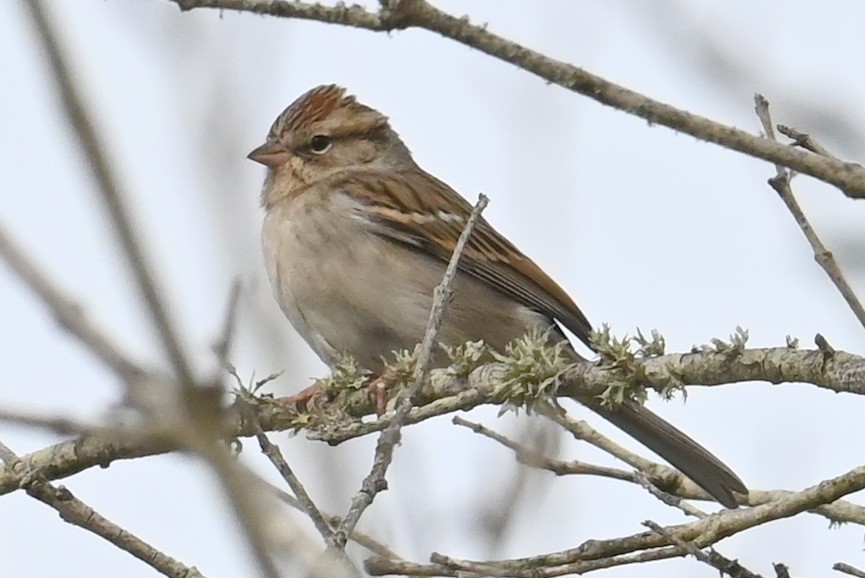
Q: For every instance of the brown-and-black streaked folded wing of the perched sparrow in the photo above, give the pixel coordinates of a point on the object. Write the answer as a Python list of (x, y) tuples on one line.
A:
[(417, 209)]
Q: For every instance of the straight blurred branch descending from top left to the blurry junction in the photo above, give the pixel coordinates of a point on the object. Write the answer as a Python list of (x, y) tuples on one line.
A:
[(110, 190)]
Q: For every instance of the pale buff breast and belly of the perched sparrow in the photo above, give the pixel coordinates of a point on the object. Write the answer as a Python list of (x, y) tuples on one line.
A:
[(347, 290)]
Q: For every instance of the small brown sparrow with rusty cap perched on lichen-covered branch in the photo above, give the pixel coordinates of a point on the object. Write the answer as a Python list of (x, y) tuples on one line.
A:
[(356, 236)]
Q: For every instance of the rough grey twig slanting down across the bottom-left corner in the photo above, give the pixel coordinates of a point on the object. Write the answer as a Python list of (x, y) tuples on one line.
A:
[(77, 513)]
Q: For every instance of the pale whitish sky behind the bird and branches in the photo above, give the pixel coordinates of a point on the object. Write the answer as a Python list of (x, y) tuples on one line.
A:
[(644, 227)]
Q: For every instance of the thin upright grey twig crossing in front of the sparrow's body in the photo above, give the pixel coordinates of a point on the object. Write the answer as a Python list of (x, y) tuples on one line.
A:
[(375, 482)]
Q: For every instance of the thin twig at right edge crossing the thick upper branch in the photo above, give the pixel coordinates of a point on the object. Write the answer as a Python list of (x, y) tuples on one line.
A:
[(781, 183)]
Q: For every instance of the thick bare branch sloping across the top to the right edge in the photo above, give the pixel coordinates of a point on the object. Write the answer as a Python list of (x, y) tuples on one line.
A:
[(849, 177)]
